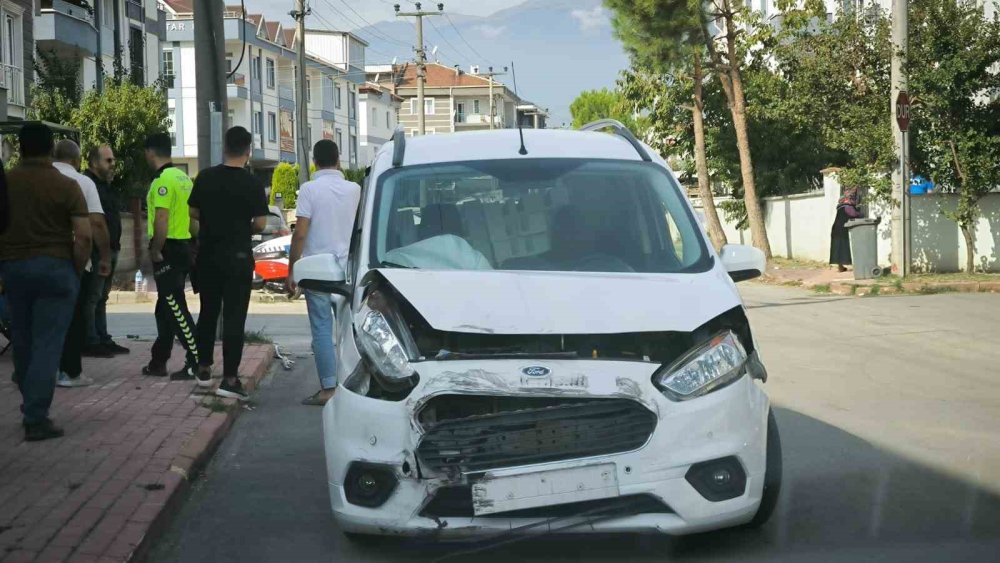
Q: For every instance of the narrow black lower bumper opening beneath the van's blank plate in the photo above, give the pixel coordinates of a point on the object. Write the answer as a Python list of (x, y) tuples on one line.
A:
[(456, 502)]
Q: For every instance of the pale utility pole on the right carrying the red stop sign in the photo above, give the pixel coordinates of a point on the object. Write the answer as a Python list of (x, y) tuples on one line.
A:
[(900, 189)]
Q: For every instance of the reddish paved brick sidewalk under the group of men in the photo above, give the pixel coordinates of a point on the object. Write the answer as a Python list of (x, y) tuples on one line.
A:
[(131, 442)]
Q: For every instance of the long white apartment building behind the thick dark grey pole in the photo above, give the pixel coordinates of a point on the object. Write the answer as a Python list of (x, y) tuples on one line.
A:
[(261, 57)]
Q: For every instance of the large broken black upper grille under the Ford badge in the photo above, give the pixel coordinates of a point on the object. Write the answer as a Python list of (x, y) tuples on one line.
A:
[(525, 431)]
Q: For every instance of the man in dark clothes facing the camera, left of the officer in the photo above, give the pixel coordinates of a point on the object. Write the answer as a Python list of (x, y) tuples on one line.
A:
[(101, 169)]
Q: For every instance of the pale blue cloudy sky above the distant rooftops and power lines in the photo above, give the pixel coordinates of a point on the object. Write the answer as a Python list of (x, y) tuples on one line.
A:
[(558, 47)]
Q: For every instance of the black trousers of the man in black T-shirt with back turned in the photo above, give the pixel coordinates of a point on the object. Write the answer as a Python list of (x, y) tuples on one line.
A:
[(224, 285)]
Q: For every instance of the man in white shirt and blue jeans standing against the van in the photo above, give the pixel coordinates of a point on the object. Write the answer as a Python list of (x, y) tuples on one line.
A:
[(325, 215)]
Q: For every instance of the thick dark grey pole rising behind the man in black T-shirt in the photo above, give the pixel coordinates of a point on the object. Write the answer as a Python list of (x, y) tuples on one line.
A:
[(210, 94)]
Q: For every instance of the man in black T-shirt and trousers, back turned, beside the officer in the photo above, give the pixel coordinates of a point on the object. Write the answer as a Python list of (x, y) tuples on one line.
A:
[(230, 206)]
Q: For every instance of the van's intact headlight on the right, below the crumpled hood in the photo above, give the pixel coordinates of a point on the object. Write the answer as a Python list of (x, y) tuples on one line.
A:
[(717, 363)]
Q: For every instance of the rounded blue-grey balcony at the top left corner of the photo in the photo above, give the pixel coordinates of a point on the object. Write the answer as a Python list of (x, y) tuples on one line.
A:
[(66, 25)]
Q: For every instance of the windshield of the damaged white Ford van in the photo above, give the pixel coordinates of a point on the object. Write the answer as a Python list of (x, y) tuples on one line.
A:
[(539, 214)]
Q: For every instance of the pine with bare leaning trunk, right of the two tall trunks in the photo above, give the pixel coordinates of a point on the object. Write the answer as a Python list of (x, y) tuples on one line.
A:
[(665, 30)]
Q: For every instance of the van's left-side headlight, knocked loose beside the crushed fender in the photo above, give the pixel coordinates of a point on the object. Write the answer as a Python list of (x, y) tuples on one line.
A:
[(384, 348)]
